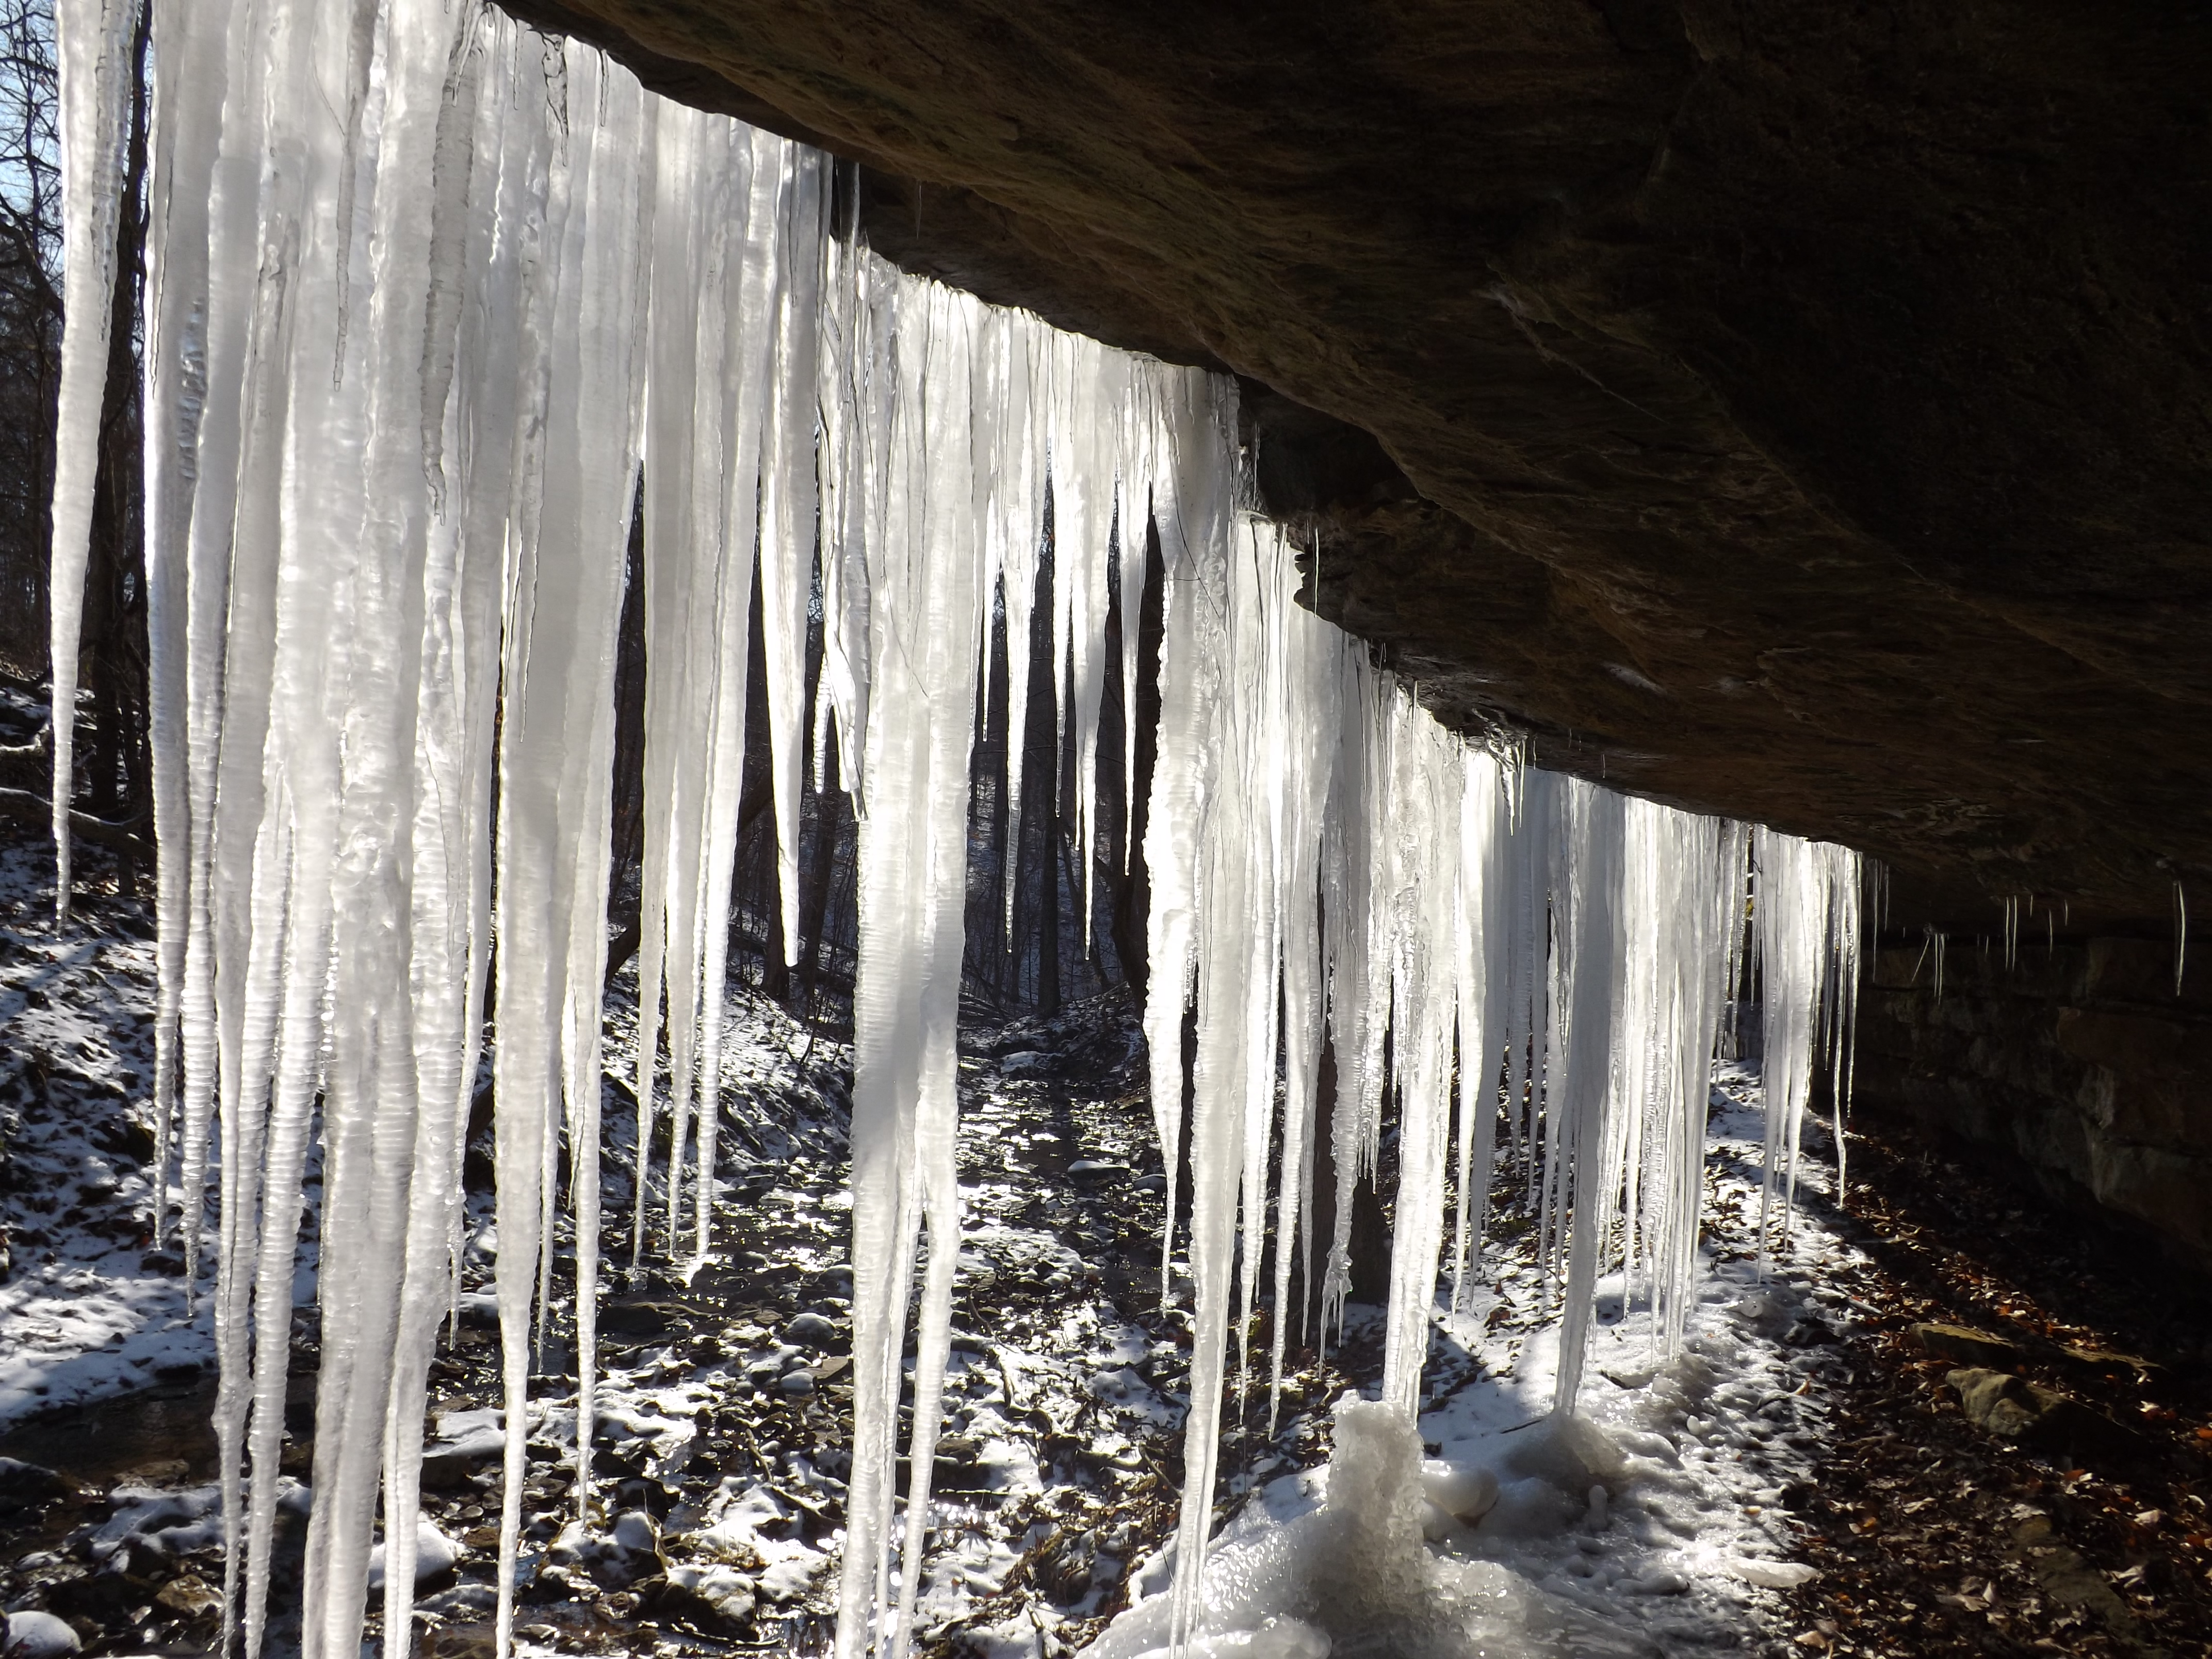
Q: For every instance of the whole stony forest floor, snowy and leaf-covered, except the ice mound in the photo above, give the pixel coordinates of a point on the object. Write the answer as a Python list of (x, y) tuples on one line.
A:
[(1948, 1421)]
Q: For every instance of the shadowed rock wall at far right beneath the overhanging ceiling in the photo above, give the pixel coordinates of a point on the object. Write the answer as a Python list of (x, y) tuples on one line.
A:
[(2080, 1065)]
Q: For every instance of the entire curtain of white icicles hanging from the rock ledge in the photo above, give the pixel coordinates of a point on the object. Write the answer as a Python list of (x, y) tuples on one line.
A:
[(428, 295)]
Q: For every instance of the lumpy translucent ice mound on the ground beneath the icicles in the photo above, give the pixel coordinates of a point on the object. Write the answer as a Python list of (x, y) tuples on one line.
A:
[(1357, 1576)]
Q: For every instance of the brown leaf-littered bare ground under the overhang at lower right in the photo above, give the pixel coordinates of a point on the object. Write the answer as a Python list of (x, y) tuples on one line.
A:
[(2023, 1457)]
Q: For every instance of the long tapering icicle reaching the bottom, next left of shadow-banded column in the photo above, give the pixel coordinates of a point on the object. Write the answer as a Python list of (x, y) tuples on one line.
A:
[(559, 709)]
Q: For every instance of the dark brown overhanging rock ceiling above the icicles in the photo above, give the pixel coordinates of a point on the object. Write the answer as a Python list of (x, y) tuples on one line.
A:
[(1791, 410)]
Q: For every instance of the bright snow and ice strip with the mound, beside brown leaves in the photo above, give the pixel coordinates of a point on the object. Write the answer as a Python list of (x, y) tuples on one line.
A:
[(1649, 1525)]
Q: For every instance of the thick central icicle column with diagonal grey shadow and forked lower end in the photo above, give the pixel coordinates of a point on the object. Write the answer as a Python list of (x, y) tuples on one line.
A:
[(924, 614)]
